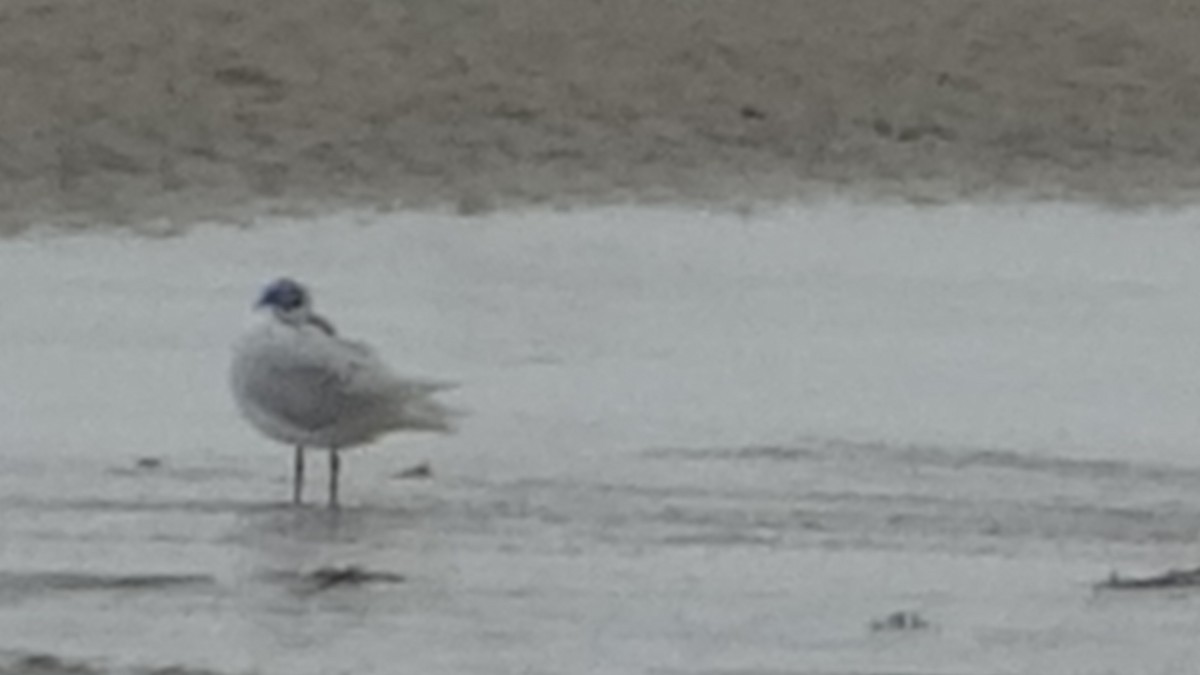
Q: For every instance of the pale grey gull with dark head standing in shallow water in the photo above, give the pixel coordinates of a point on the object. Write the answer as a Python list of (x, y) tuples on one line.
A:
[(299, 384)]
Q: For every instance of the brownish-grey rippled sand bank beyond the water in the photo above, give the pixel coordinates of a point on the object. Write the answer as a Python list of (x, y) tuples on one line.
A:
[(128, 110)]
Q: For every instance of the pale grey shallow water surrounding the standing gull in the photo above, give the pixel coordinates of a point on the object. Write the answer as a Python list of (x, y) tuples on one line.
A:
[(698, 445)]
